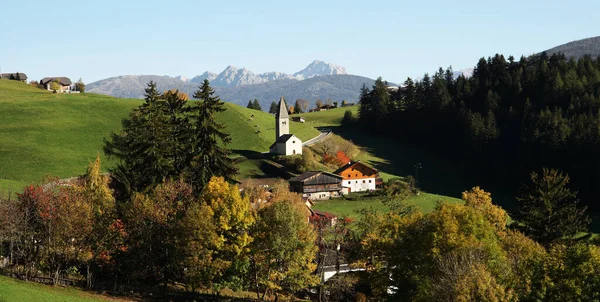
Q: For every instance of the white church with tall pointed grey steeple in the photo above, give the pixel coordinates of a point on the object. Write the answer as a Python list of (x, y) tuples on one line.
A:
[(285, 143)]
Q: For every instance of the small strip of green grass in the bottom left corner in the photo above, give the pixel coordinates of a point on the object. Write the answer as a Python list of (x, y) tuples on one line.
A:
[(16, 290)]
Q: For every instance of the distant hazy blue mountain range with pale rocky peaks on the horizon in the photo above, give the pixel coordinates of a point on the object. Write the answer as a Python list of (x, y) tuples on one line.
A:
[(319, 80)]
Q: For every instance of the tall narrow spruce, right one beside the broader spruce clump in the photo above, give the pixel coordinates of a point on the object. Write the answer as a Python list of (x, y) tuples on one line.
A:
[(209, 151)]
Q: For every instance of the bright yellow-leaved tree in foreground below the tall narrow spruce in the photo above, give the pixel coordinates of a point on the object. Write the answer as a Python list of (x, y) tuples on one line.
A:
[(218, 236)]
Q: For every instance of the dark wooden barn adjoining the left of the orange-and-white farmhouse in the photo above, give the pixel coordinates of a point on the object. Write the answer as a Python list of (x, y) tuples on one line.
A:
[(317, 185)]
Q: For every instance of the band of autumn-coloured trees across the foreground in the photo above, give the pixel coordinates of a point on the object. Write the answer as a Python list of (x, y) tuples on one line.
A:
[(168, 237)]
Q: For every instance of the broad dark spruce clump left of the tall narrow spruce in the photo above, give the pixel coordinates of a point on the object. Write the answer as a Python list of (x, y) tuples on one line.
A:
[(154, 143)]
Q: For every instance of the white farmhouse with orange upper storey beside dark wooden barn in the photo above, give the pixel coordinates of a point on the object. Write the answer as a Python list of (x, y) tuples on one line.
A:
[(358, 177)]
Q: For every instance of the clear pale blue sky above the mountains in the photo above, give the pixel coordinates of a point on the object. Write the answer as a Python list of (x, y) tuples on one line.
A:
[(392, 39)]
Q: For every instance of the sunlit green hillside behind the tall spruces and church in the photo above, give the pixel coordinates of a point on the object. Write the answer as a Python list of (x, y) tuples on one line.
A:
[(43, 133)]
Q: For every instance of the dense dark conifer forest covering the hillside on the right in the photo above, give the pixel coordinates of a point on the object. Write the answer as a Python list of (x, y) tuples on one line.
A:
[(510, 117)]
